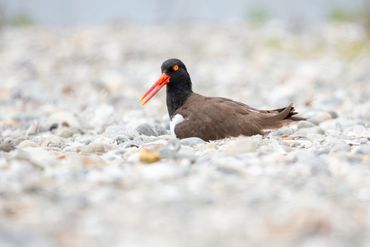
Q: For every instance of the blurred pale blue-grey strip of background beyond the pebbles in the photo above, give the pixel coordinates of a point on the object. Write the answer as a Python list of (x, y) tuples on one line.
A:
[(85, 12)]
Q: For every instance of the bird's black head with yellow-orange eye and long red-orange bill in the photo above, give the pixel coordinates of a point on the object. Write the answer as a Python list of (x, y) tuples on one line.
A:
[(174, 74)]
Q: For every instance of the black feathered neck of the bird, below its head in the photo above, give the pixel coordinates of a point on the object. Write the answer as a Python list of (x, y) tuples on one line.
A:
[(177, 94)]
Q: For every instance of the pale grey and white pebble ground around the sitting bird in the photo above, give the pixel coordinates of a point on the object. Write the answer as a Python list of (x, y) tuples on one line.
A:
[(82, 163)]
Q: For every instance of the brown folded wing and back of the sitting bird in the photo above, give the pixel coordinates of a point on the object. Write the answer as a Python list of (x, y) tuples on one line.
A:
[(216, 118)]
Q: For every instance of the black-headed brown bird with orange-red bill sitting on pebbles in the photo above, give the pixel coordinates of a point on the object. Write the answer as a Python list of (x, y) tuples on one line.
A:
[(211, 118)]
